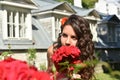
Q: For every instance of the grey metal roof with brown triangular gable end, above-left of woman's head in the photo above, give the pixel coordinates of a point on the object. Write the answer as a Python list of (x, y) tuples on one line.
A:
[(51, 6)]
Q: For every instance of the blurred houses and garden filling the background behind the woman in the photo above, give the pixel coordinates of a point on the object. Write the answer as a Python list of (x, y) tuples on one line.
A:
[(29, 27)]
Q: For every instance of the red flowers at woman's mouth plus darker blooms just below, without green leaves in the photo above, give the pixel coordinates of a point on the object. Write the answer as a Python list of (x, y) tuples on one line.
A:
[(69, 54)]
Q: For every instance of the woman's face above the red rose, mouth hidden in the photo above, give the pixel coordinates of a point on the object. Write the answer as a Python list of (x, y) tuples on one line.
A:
[(68, 36)]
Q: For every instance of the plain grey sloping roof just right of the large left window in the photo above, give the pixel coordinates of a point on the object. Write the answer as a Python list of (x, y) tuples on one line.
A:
[(40, 35)]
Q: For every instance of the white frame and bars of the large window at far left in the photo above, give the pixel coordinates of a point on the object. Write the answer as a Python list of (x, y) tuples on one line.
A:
[(27, 29)]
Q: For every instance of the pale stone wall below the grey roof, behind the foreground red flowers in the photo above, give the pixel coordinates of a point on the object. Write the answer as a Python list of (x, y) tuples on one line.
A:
[(41, 57)]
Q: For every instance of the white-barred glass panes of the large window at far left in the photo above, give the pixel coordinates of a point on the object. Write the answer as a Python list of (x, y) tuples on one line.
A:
[(16, 27)]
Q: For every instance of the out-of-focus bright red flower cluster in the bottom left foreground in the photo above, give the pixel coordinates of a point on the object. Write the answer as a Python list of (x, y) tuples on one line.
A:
[(12, 69)]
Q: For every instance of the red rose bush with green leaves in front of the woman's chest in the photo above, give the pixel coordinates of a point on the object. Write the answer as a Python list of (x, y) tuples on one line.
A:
[(67, 61)]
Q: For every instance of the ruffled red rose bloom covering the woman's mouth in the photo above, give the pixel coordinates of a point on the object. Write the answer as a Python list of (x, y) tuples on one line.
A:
[(64, 52)]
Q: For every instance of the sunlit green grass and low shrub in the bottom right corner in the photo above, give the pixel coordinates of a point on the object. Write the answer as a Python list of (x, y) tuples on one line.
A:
[(109, 75)]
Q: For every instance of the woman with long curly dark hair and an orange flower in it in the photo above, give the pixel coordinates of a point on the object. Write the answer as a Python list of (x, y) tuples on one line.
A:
[(75, 31)]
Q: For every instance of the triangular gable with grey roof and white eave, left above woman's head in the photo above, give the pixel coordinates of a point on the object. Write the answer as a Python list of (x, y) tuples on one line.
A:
[(58, 8)]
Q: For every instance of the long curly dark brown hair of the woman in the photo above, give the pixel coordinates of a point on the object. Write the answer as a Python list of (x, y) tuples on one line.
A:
[(85, 43)]
